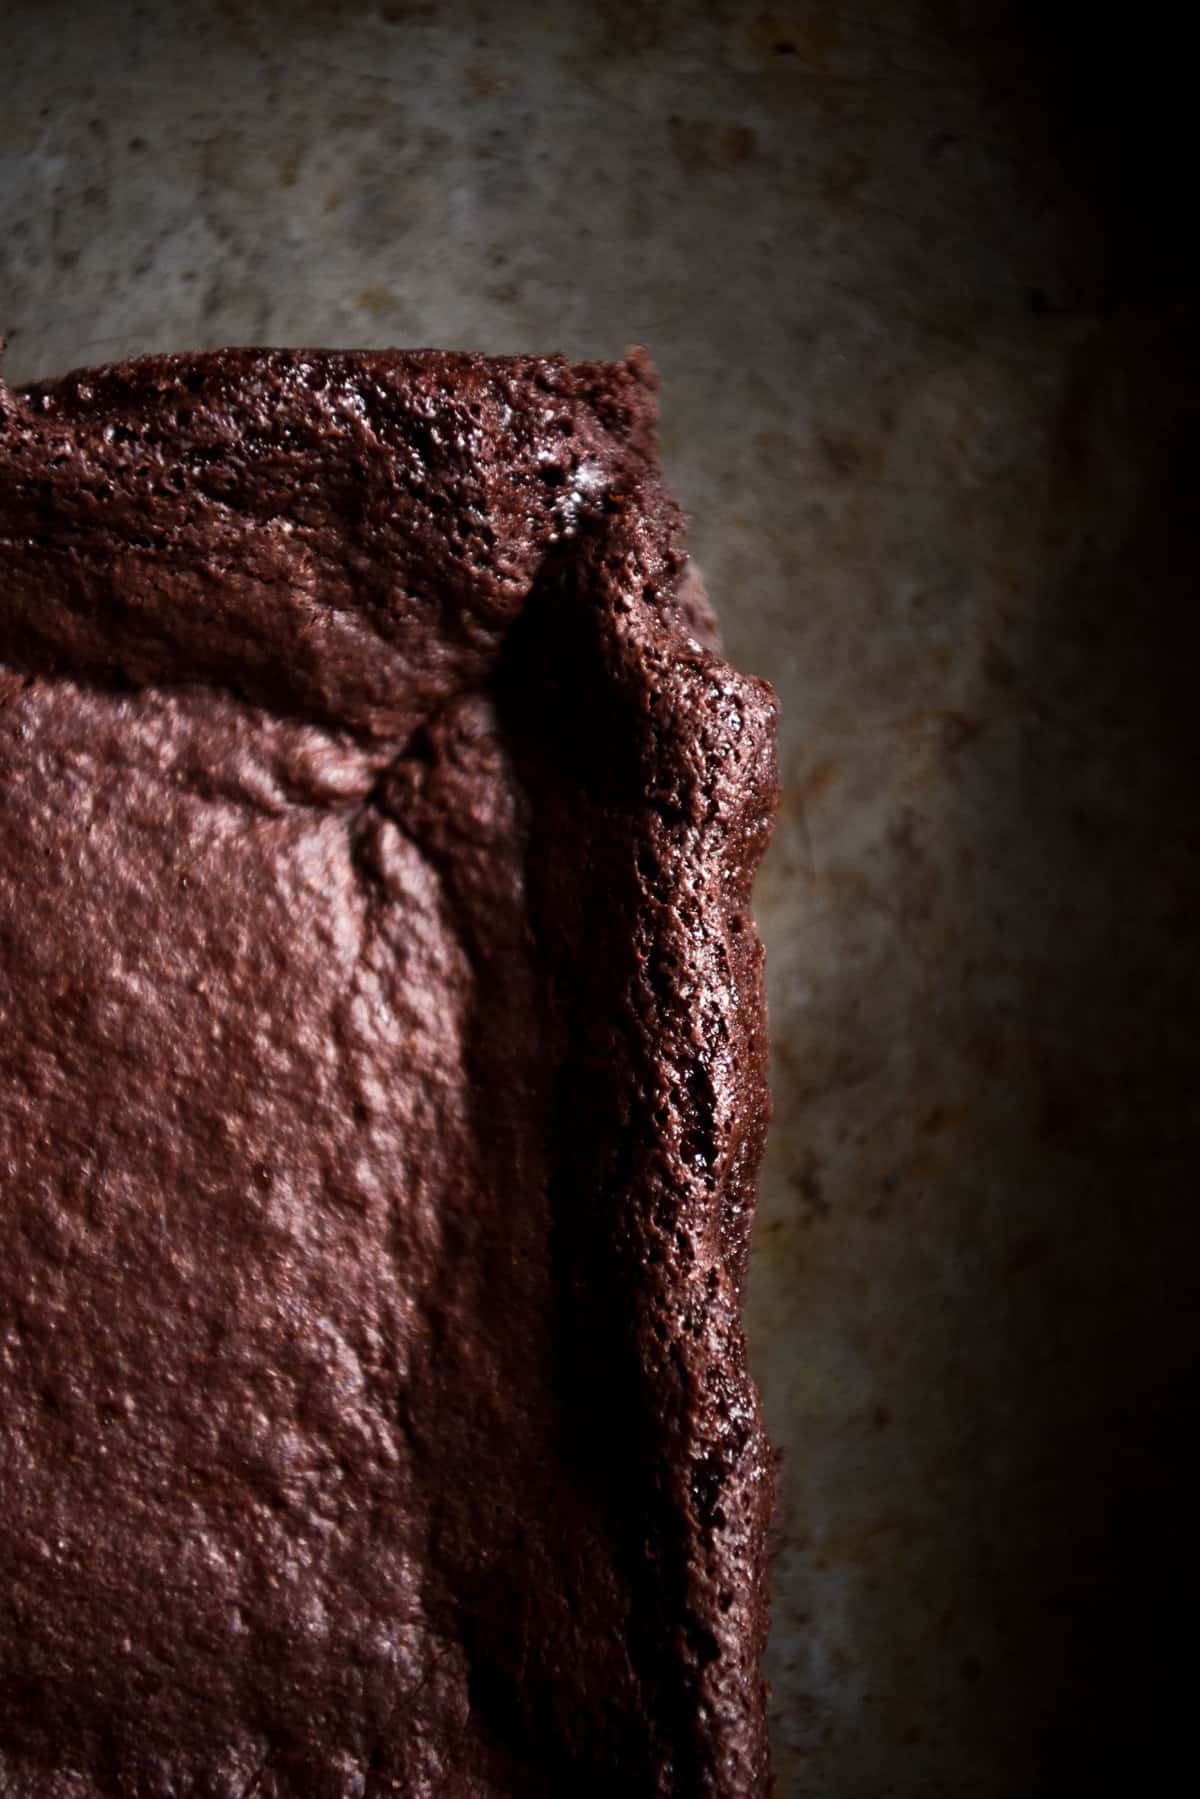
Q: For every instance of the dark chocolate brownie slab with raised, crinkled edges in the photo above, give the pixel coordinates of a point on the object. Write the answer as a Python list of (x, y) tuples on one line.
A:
[(382, 1091)]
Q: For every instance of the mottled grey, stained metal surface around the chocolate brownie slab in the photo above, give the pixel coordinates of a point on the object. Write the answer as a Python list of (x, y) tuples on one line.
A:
[(918, 282)]
